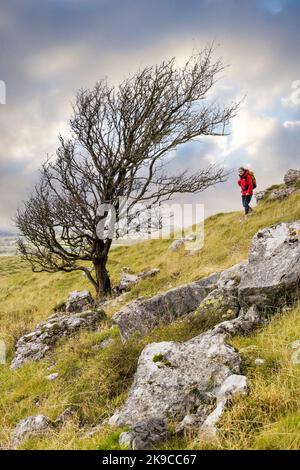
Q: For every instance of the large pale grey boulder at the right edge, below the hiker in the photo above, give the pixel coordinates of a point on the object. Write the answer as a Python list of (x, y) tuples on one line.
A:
[(272, 277)]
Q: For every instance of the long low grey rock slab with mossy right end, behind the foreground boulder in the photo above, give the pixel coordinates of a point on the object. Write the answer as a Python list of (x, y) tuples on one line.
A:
[(216, 293)]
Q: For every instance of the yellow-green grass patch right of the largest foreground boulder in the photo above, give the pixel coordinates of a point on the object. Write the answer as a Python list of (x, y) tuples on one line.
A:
[(269, 417)]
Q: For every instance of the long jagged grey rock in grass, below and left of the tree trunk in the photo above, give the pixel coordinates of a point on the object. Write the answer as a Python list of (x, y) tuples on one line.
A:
[(34, 346)]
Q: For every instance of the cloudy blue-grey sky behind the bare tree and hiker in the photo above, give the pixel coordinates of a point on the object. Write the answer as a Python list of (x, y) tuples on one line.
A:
[(50, 48)]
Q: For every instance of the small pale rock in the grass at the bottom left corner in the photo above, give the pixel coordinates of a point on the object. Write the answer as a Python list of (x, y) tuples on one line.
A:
[(29, 427)]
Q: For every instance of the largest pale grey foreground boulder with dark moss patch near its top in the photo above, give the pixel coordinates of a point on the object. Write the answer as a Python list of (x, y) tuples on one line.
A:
[(188, 382)]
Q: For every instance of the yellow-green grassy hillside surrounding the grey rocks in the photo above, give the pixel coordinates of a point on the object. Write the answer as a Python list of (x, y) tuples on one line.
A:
[(95, 381)]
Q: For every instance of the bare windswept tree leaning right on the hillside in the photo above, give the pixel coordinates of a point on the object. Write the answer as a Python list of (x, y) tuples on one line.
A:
[(120, 137)]
